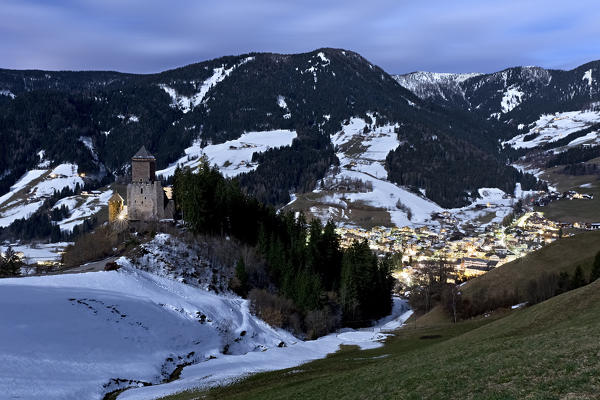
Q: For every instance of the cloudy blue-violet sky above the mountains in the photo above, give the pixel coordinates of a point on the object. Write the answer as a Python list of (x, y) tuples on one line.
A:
[(400, 36)]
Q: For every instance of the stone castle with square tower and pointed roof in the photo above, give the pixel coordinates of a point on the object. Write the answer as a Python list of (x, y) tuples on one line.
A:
[(145, 196)]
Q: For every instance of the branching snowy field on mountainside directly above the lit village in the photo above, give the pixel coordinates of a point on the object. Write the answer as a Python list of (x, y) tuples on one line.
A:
[(362, 154)]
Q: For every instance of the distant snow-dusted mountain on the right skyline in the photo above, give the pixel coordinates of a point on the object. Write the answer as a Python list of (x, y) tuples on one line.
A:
[(515, 96)]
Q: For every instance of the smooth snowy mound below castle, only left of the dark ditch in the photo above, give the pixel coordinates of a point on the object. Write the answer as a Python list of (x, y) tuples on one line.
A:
[(118, 325)]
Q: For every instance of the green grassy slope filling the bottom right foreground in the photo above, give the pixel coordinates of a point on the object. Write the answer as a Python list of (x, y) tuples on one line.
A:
[(548, 351)]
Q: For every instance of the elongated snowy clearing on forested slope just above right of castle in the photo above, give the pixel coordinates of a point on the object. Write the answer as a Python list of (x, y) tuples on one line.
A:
[(234, 156)]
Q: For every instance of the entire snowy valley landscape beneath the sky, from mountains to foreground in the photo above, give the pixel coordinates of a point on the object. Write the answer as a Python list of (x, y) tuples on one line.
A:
[(306, 190)]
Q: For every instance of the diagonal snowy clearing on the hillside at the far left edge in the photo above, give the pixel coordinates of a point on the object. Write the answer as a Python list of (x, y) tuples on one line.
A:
[(28, 194)]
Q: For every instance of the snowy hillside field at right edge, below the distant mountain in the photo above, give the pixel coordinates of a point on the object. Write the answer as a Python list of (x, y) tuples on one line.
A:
[(550, 128)]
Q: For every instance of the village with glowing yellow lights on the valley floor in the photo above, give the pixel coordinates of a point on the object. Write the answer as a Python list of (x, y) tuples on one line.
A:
[(469, 252)]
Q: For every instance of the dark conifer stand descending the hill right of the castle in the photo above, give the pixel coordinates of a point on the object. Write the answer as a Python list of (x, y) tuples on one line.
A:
[(321, 283)]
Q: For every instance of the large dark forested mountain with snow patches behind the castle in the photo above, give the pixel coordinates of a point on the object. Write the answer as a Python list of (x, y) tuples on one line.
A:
[(96, 120)]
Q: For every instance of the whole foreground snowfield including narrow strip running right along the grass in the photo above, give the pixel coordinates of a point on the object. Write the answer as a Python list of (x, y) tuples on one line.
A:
[(74, 336)]
